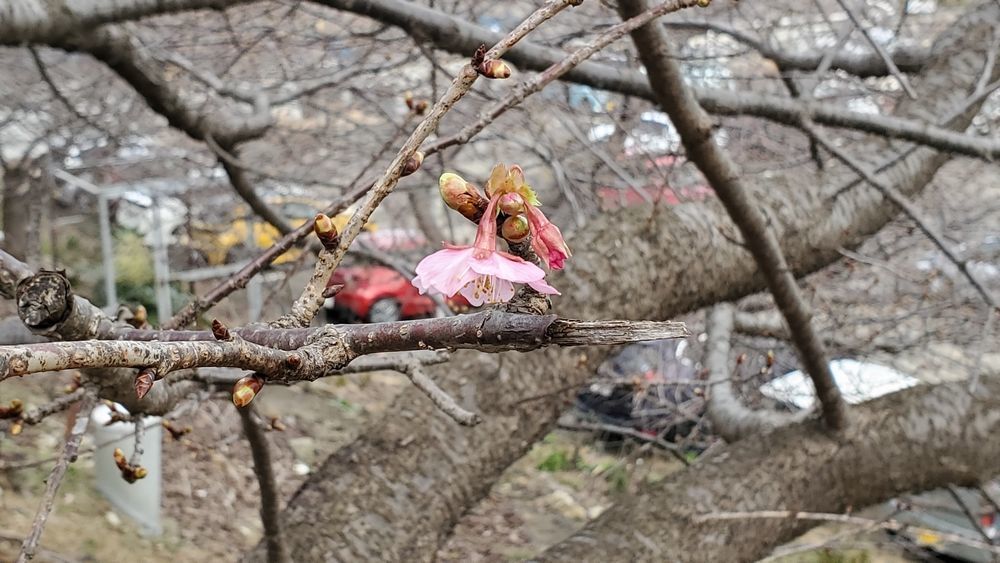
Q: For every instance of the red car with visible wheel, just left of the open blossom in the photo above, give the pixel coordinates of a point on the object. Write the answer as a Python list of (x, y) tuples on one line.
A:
[(377, 294)]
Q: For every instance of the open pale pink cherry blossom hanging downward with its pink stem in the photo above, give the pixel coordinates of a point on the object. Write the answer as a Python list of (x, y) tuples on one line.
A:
[(480, 272)]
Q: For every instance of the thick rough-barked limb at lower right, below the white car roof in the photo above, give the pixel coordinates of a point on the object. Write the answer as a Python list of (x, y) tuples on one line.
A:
[(916, 440)]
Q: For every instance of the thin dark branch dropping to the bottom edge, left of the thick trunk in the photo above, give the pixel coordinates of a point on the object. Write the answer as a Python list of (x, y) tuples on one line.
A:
[(270, 509)]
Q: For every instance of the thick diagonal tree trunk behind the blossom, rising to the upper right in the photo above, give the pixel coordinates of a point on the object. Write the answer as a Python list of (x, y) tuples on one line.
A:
[(396, 491)]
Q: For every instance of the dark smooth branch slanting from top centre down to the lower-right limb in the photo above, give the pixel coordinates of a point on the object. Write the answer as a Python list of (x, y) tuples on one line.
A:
[(695, 130)]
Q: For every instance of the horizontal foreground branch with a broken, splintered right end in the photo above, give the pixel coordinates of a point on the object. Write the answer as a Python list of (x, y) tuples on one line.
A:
[(312, 353)]
